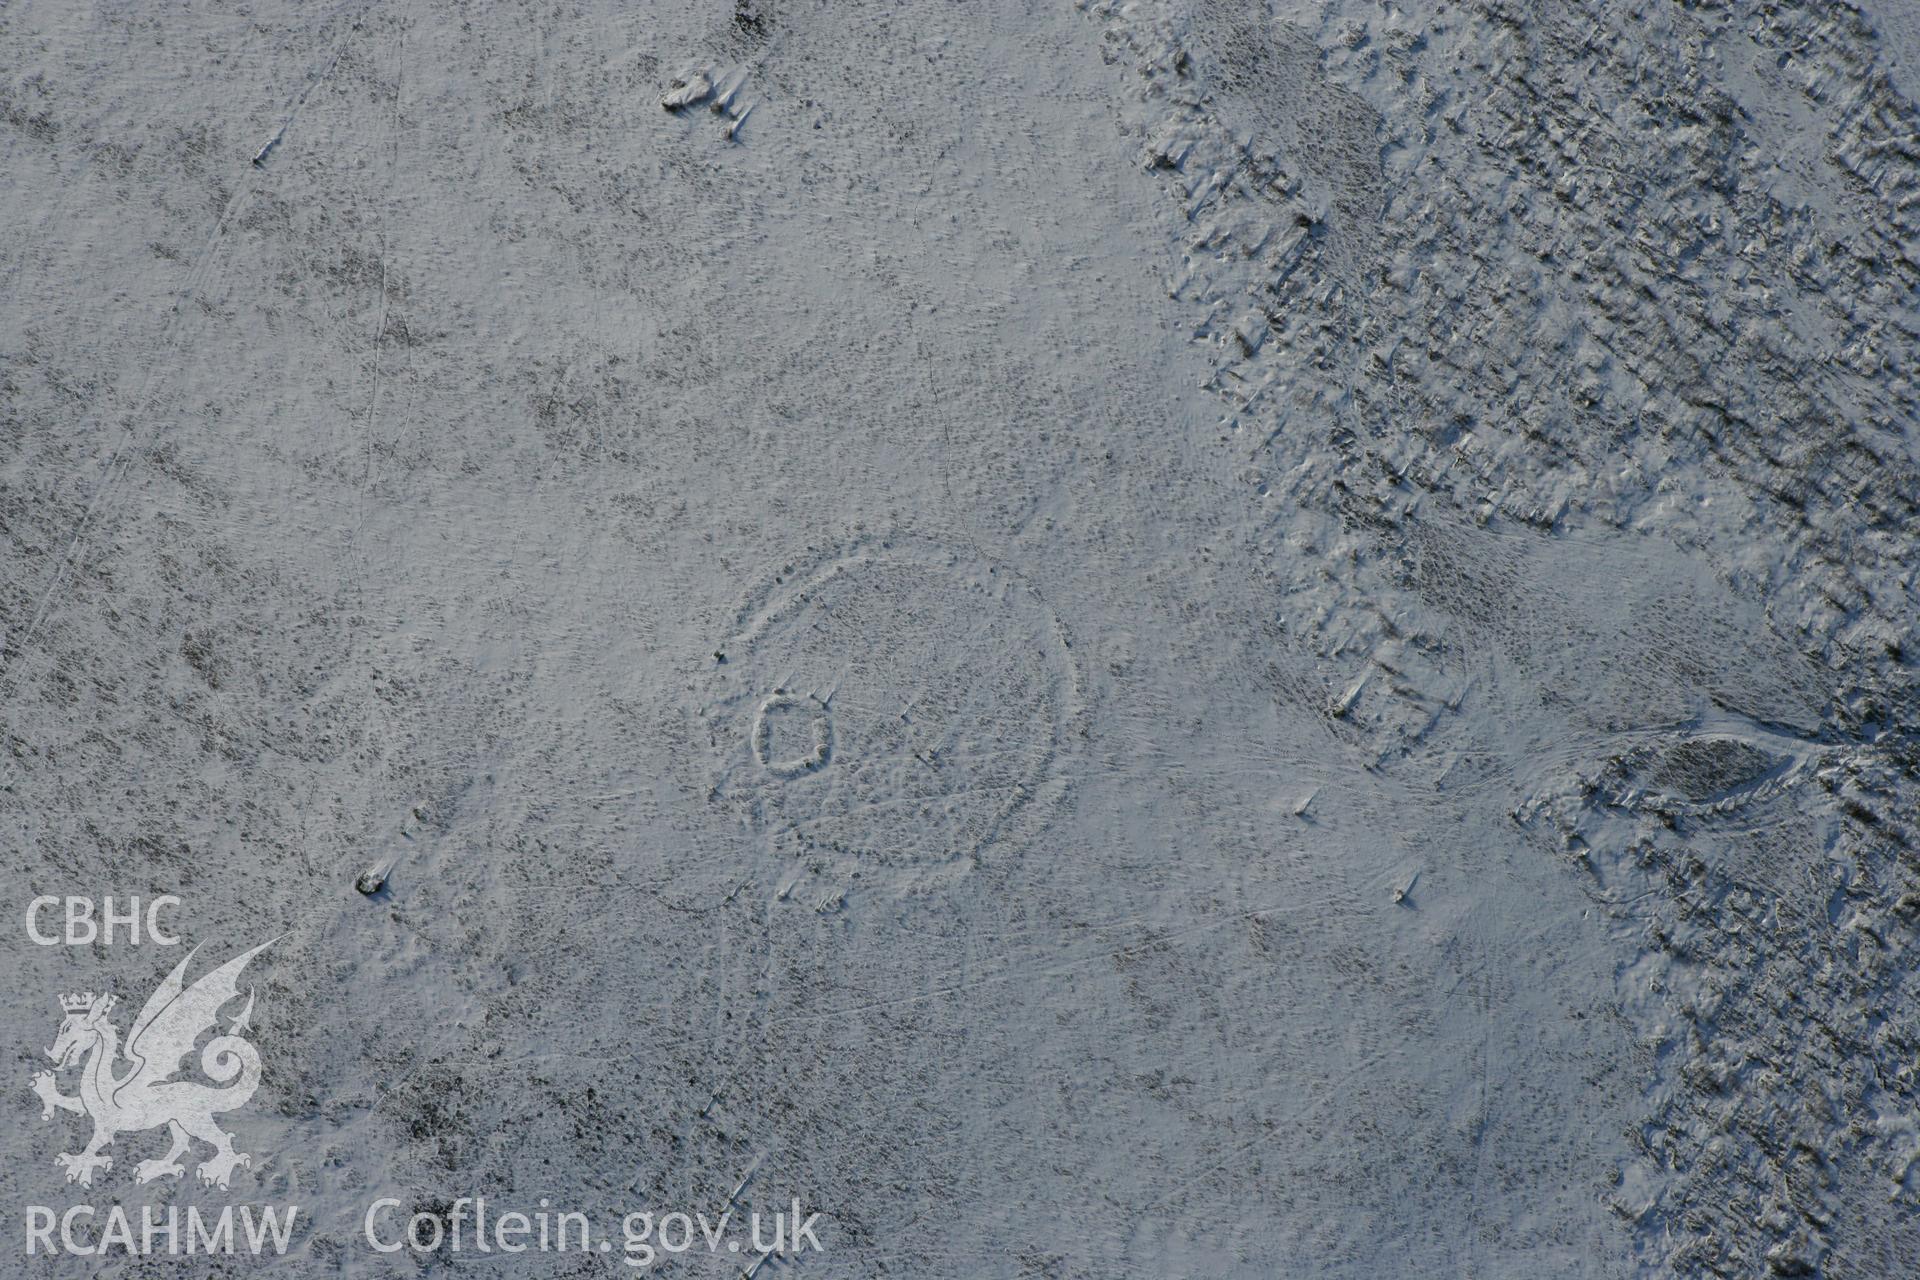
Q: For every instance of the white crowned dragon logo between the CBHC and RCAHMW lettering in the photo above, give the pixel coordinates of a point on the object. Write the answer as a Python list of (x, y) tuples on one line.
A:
[(143, 1097)]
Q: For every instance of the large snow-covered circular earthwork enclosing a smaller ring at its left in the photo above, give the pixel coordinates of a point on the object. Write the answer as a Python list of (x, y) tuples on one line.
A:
[(896, 709)]
